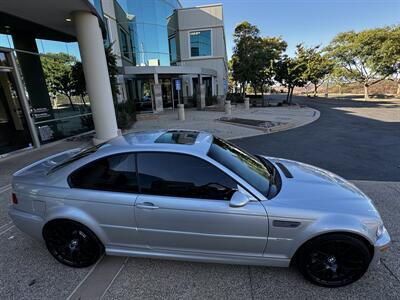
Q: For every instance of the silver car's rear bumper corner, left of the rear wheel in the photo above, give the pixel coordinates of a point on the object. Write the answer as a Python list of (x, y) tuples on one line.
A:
[(27, 222)]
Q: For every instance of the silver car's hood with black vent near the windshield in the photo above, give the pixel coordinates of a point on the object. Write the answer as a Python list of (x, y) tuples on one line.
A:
[(313, 187)]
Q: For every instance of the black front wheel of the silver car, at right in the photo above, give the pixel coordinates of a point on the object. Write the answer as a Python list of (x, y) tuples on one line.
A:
[(334, 260)]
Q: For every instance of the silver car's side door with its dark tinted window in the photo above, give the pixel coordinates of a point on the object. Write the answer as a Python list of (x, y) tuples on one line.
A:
[(184, 206)]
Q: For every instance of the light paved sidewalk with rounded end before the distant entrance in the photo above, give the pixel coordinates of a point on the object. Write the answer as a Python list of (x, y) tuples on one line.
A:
[(282, 118)]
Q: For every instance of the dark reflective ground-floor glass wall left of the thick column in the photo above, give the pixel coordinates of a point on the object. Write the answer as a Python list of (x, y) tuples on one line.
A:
[(37, 77)]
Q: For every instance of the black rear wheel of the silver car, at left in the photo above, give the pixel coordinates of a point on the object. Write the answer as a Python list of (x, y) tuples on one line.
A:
[(72, 243)]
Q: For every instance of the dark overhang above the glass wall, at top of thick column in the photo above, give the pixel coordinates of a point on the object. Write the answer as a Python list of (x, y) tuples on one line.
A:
[(43, 19)]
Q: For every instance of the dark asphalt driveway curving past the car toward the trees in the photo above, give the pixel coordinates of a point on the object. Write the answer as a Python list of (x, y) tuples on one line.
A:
[(344, 140)]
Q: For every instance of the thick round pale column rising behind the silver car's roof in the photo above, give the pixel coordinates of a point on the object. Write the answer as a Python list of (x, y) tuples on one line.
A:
[(97, 78)]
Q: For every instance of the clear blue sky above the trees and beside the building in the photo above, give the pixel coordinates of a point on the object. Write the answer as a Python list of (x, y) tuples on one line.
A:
[(311, 22)]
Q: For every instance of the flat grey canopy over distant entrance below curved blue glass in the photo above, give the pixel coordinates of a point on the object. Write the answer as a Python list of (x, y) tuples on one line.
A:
[(170, 70)]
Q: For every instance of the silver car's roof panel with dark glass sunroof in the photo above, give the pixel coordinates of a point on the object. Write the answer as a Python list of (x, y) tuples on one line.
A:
[(175, 140)]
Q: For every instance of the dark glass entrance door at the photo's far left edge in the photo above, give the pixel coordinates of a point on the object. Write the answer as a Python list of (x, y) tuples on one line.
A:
[(14, 132)]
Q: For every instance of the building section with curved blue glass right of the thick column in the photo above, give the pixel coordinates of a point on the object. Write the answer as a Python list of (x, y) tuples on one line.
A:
[(156, 41)]
